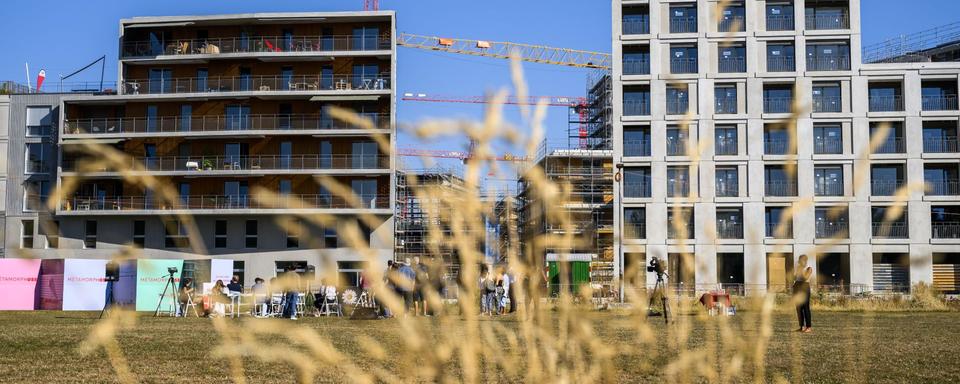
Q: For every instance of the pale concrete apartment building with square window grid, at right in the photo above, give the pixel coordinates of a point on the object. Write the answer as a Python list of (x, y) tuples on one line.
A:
[(705, 98)]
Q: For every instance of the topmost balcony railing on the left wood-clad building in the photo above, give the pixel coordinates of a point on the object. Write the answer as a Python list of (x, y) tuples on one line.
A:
[(259, 44)]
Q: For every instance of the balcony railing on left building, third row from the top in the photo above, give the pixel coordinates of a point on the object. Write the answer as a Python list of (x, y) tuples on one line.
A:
[(215, 123)]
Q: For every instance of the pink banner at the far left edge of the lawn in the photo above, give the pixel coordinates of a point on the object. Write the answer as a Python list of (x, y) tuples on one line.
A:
[(18, 283)]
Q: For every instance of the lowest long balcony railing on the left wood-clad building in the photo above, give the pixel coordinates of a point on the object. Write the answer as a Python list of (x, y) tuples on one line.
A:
[(222, 202)]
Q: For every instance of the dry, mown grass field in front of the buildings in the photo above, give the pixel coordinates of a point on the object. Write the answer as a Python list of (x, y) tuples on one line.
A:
[(844, 347)]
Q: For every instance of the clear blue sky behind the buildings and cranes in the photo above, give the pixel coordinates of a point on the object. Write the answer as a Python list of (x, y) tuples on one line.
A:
[(61, 36)]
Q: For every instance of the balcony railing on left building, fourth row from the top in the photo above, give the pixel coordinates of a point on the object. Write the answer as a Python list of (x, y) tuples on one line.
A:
[(246, 163)]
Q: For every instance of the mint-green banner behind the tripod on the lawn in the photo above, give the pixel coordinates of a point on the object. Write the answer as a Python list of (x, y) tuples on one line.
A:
[(152, 277)]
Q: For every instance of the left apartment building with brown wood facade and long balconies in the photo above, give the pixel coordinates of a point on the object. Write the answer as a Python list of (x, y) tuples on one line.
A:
[(219, 108)]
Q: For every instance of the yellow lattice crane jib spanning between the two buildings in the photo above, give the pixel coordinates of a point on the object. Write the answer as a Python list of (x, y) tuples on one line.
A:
[(502, 50)]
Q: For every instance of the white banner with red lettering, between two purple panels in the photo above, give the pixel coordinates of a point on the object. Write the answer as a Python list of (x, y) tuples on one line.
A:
[(84, 287)]
